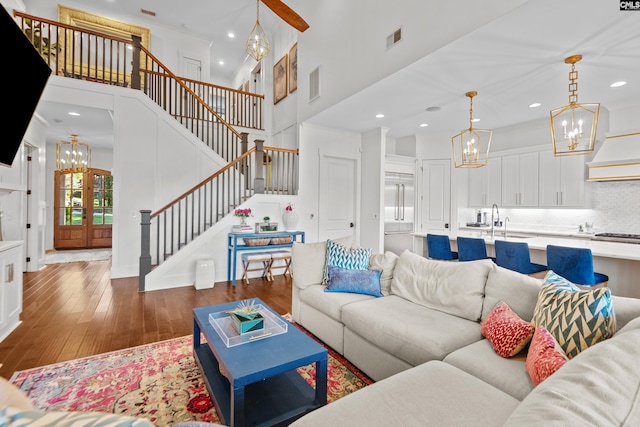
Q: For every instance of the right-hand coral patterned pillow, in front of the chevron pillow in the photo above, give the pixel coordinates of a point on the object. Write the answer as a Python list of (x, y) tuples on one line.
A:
[(545, 356)]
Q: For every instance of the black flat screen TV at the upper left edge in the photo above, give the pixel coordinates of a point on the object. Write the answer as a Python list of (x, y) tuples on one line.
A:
[(23, 75)]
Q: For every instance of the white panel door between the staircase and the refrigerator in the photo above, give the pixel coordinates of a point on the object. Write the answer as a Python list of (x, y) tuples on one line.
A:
[(337, 197)]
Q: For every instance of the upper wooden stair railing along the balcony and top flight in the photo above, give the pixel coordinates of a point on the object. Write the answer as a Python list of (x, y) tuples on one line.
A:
[(89, 55)]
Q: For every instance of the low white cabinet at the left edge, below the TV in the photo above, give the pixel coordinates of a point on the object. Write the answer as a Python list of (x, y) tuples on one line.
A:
[(10, 286)]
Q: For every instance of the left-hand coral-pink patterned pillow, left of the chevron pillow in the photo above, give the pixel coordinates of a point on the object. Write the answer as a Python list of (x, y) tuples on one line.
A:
[(506, 331)]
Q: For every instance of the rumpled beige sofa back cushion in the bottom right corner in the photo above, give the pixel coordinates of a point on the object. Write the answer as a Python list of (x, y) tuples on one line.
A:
[(599, 387)]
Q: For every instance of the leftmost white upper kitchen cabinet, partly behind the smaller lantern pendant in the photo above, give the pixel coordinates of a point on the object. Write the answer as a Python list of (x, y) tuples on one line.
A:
[(485, 184)]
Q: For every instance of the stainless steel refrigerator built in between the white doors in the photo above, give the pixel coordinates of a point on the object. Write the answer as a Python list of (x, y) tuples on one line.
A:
[(399, 201)]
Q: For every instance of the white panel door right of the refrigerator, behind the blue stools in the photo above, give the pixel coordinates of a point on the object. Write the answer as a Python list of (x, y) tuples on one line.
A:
[(435, 200)]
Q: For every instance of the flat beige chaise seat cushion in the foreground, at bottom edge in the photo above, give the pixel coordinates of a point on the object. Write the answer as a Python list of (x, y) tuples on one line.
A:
[(433, 394)]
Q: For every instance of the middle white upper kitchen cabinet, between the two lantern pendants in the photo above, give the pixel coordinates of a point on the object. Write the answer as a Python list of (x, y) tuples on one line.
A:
[(520, 180)]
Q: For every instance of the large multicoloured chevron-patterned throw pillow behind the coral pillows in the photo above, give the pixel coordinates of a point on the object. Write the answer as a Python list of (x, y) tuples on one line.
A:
[(577, 319)]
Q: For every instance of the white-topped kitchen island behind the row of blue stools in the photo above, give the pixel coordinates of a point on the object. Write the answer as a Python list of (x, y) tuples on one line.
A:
[(619, 261)]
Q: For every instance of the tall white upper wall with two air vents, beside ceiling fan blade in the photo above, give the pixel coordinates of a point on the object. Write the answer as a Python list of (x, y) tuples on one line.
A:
[(347, 39)]
